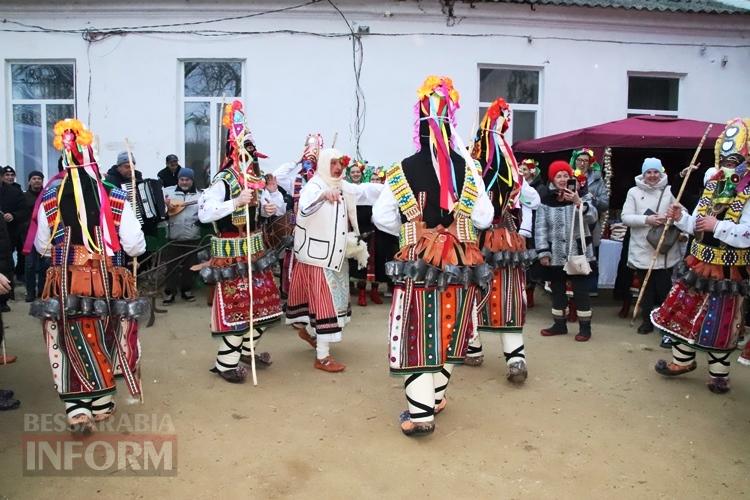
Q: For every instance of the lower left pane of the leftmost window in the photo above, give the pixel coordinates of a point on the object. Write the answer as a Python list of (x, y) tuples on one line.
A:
[(27, 138)]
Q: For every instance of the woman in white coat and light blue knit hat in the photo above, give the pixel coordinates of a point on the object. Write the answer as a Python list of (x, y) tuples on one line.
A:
[(645, 207)]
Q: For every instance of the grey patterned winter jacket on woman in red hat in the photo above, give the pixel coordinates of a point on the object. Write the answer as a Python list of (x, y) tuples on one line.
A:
[(552, 228)]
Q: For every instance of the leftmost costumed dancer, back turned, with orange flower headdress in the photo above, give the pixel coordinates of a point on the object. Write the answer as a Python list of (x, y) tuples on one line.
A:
[(89, 304)]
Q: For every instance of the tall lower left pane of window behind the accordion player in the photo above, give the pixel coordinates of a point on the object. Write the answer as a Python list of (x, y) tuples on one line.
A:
[(198, 141)]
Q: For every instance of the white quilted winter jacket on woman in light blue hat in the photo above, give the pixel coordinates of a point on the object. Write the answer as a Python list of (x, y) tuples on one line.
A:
[(641, 198)]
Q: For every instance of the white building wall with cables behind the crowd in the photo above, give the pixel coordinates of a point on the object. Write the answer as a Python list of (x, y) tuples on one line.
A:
[(295, 84)]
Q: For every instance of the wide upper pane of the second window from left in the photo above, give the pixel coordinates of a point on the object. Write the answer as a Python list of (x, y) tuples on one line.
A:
[(213, 79)]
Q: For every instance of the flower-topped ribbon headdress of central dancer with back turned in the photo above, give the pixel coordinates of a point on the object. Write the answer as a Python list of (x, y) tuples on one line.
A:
[(437, 106)]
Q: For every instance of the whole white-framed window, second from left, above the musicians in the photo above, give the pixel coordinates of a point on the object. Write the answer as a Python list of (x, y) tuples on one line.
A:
[(206, 86)]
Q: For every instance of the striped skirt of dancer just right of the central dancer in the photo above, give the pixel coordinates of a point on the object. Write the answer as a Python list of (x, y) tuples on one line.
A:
[(503, 308)]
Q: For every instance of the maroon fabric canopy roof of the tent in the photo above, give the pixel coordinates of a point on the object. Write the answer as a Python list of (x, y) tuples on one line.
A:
[(643, 132)]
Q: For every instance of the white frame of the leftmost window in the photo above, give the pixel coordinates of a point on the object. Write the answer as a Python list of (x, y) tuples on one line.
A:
[(43, 103)]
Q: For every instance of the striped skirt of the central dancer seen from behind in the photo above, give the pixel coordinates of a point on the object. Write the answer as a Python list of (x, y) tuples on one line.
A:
[(429, 328)]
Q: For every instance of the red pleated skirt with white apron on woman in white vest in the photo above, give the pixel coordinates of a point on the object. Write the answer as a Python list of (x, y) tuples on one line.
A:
[(319, 297)]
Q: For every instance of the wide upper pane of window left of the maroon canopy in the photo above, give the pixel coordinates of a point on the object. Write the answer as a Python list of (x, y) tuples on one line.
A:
[(514, 85)]
